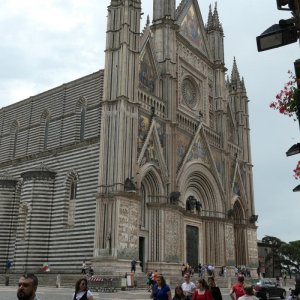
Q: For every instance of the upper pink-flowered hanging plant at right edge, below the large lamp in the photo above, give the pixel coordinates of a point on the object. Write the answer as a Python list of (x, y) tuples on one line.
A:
[(285, 101)]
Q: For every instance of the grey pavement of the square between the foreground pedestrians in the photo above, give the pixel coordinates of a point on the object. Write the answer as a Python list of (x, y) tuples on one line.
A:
[(48, 293)]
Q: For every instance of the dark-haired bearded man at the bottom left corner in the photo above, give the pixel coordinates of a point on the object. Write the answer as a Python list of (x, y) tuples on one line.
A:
[(27, 287)]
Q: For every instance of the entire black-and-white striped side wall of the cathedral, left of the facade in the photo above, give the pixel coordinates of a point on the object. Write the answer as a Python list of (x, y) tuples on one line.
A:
[(35, 208)]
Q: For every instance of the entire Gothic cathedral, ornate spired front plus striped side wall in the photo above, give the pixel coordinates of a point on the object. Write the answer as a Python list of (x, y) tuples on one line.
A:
[(148, 159)]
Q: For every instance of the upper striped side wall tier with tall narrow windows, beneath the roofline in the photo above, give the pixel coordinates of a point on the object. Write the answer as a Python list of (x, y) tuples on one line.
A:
[(62, 106)]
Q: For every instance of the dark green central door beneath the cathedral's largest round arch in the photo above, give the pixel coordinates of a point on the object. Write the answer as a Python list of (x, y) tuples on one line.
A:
[(192, 248)]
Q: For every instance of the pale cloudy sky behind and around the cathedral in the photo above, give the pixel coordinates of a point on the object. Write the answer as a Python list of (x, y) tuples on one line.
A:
[(45, 43)]
